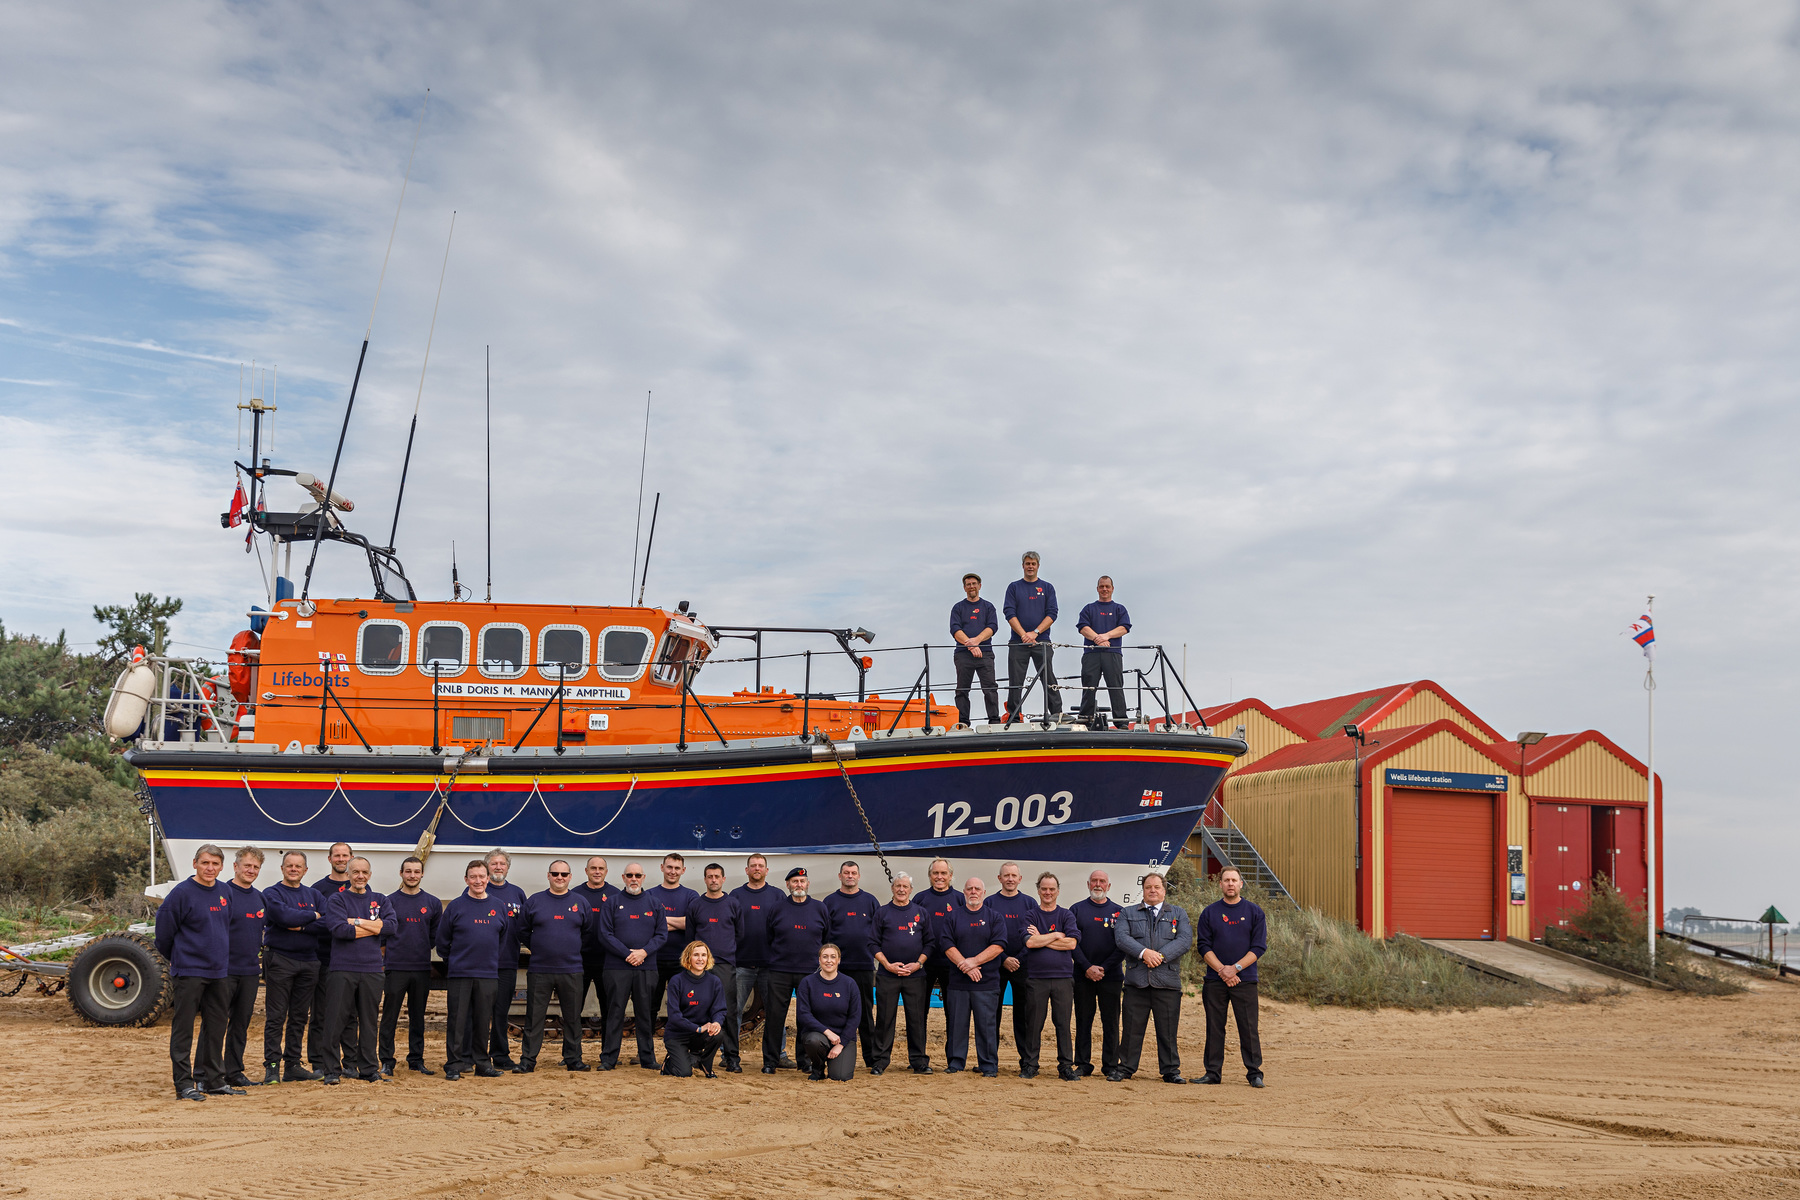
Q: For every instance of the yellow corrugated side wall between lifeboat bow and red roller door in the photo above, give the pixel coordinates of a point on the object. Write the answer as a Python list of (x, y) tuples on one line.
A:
[(1300, 821)]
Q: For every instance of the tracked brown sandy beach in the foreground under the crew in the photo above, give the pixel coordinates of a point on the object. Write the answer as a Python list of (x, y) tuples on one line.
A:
[(1637, 1095)]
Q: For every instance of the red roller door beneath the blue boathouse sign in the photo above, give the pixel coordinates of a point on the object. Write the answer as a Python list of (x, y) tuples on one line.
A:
[(1441, 864)]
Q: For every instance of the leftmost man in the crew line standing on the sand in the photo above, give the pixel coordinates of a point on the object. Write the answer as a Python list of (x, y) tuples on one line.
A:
[(193, 935)]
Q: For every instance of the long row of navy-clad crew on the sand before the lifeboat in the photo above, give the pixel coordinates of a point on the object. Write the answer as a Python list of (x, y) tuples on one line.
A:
[(341, 963)]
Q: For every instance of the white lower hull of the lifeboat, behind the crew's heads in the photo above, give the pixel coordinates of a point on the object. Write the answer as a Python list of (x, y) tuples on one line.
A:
[(444, 868)]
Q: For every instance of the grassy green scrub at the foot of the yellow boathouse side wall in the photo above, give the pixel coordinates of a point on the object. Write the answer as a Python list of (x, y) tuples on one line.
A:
[(1322, 960)]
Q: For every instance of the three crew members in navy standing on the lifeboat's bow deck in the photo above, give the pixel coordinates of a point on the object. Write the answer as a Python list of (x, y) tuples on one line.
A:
[(1030, 611)]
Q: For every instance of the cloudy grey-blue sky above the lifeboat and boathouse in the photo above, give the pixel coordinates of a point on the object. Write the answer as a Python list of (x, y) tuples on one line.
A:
[(1360, 343)]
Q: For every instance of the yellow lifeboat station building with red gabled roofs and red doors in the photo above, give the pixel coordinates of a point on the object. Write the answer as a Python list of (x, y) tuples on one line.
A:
[(1428, 821)]
